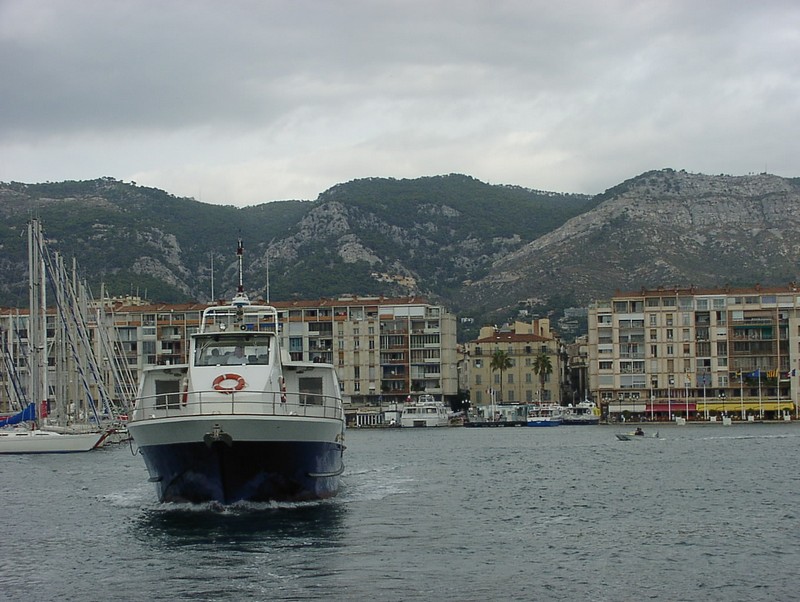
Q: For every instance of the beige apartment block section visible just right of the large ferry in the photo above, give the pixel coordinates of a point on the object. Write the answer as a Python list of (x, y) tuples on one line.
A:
[(384, 349)]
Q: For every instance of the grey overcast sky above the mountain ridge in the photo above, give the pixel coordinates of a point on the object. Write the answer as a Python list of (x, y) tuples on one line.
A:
[(244, 102)]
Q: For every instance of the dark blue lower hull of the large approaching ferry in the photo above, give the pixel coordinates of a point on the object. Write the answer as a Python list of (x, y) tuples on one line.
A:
[(253, 471)]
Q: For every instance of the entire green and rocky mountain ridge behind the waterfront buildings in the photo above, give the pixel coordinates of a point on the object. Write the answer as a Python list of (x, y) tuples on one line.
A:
[(482, 250)]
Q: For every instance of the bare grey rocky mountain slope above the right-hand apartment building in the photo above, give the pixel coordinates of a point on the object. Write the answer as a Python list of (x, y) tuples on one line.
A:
[(659, 229)]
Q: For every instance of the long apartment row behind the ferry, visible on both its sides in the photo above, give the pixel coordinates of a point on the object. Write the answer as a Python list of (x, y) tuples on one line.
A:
[(384, 349)]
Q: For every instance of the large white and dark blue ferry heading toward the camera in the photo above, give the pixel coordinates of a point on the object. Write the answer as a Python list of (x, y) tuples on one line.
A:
[(241, 421)]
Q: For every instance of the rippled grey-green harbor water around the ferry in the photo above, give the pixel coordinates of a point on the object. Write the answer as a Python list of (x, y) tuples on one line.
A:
[(568, 513)]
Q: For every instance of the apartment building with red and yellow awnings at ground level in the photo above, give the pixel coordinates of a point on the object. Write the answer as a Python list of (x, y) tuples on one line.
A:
[(696, 353)]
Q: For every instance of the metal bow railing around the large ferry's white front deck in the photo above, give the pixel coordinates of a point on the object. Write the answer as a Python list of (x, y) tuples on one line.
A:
[(212, 402)]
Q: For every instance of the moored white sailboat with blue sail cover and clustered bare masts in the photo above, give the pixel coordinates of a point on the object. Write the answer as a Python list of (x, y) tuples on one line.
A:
[(37, 429)]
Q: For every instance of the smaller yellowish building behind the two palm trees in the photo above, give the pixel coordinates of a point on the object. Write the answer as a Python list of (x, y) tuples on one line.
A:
[(522, 341)]
